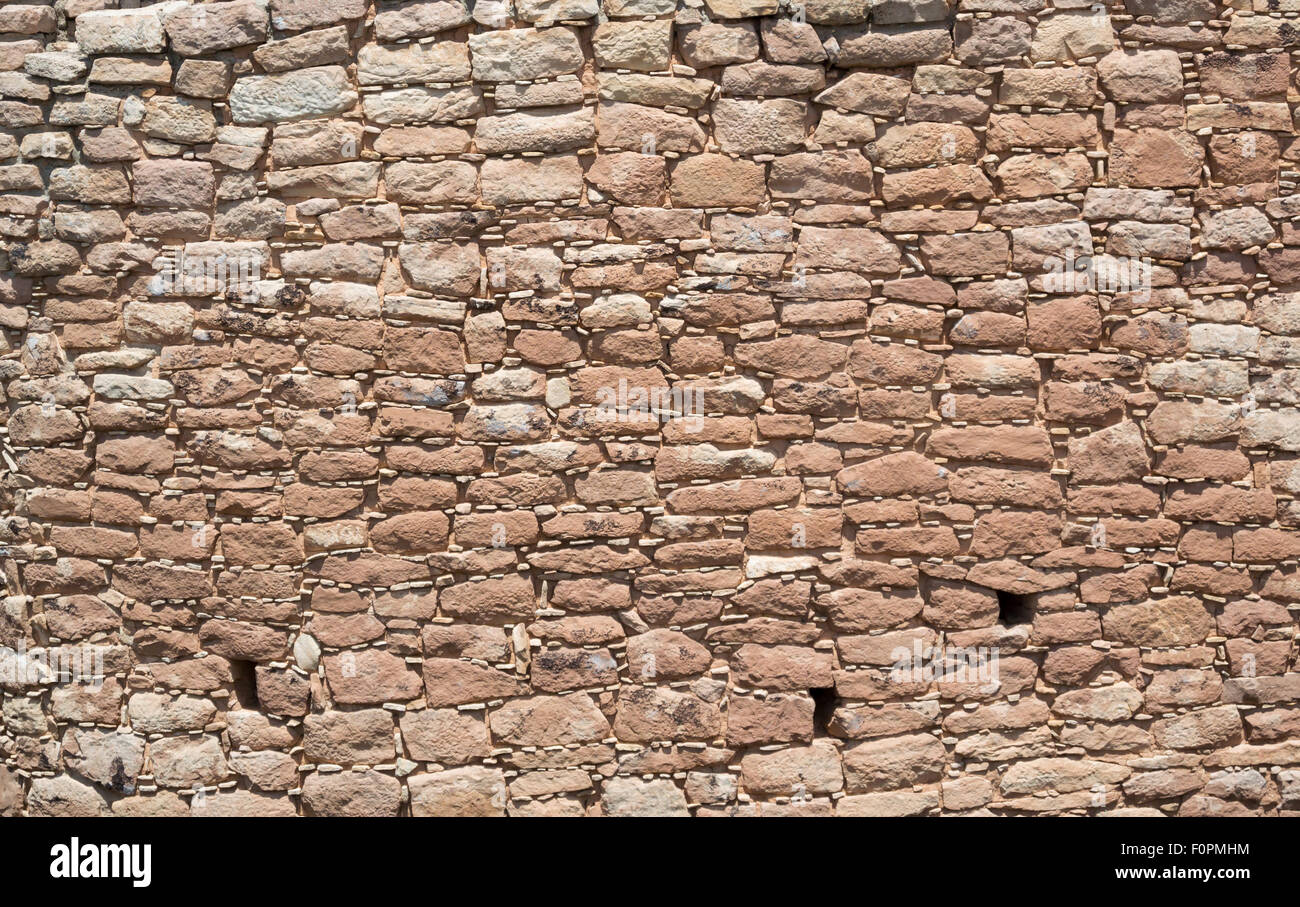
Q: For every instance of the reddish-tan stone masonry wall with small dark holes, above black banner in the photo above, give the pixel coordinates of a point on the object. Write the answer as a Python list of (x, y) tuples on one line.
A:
[(638, 407)]
